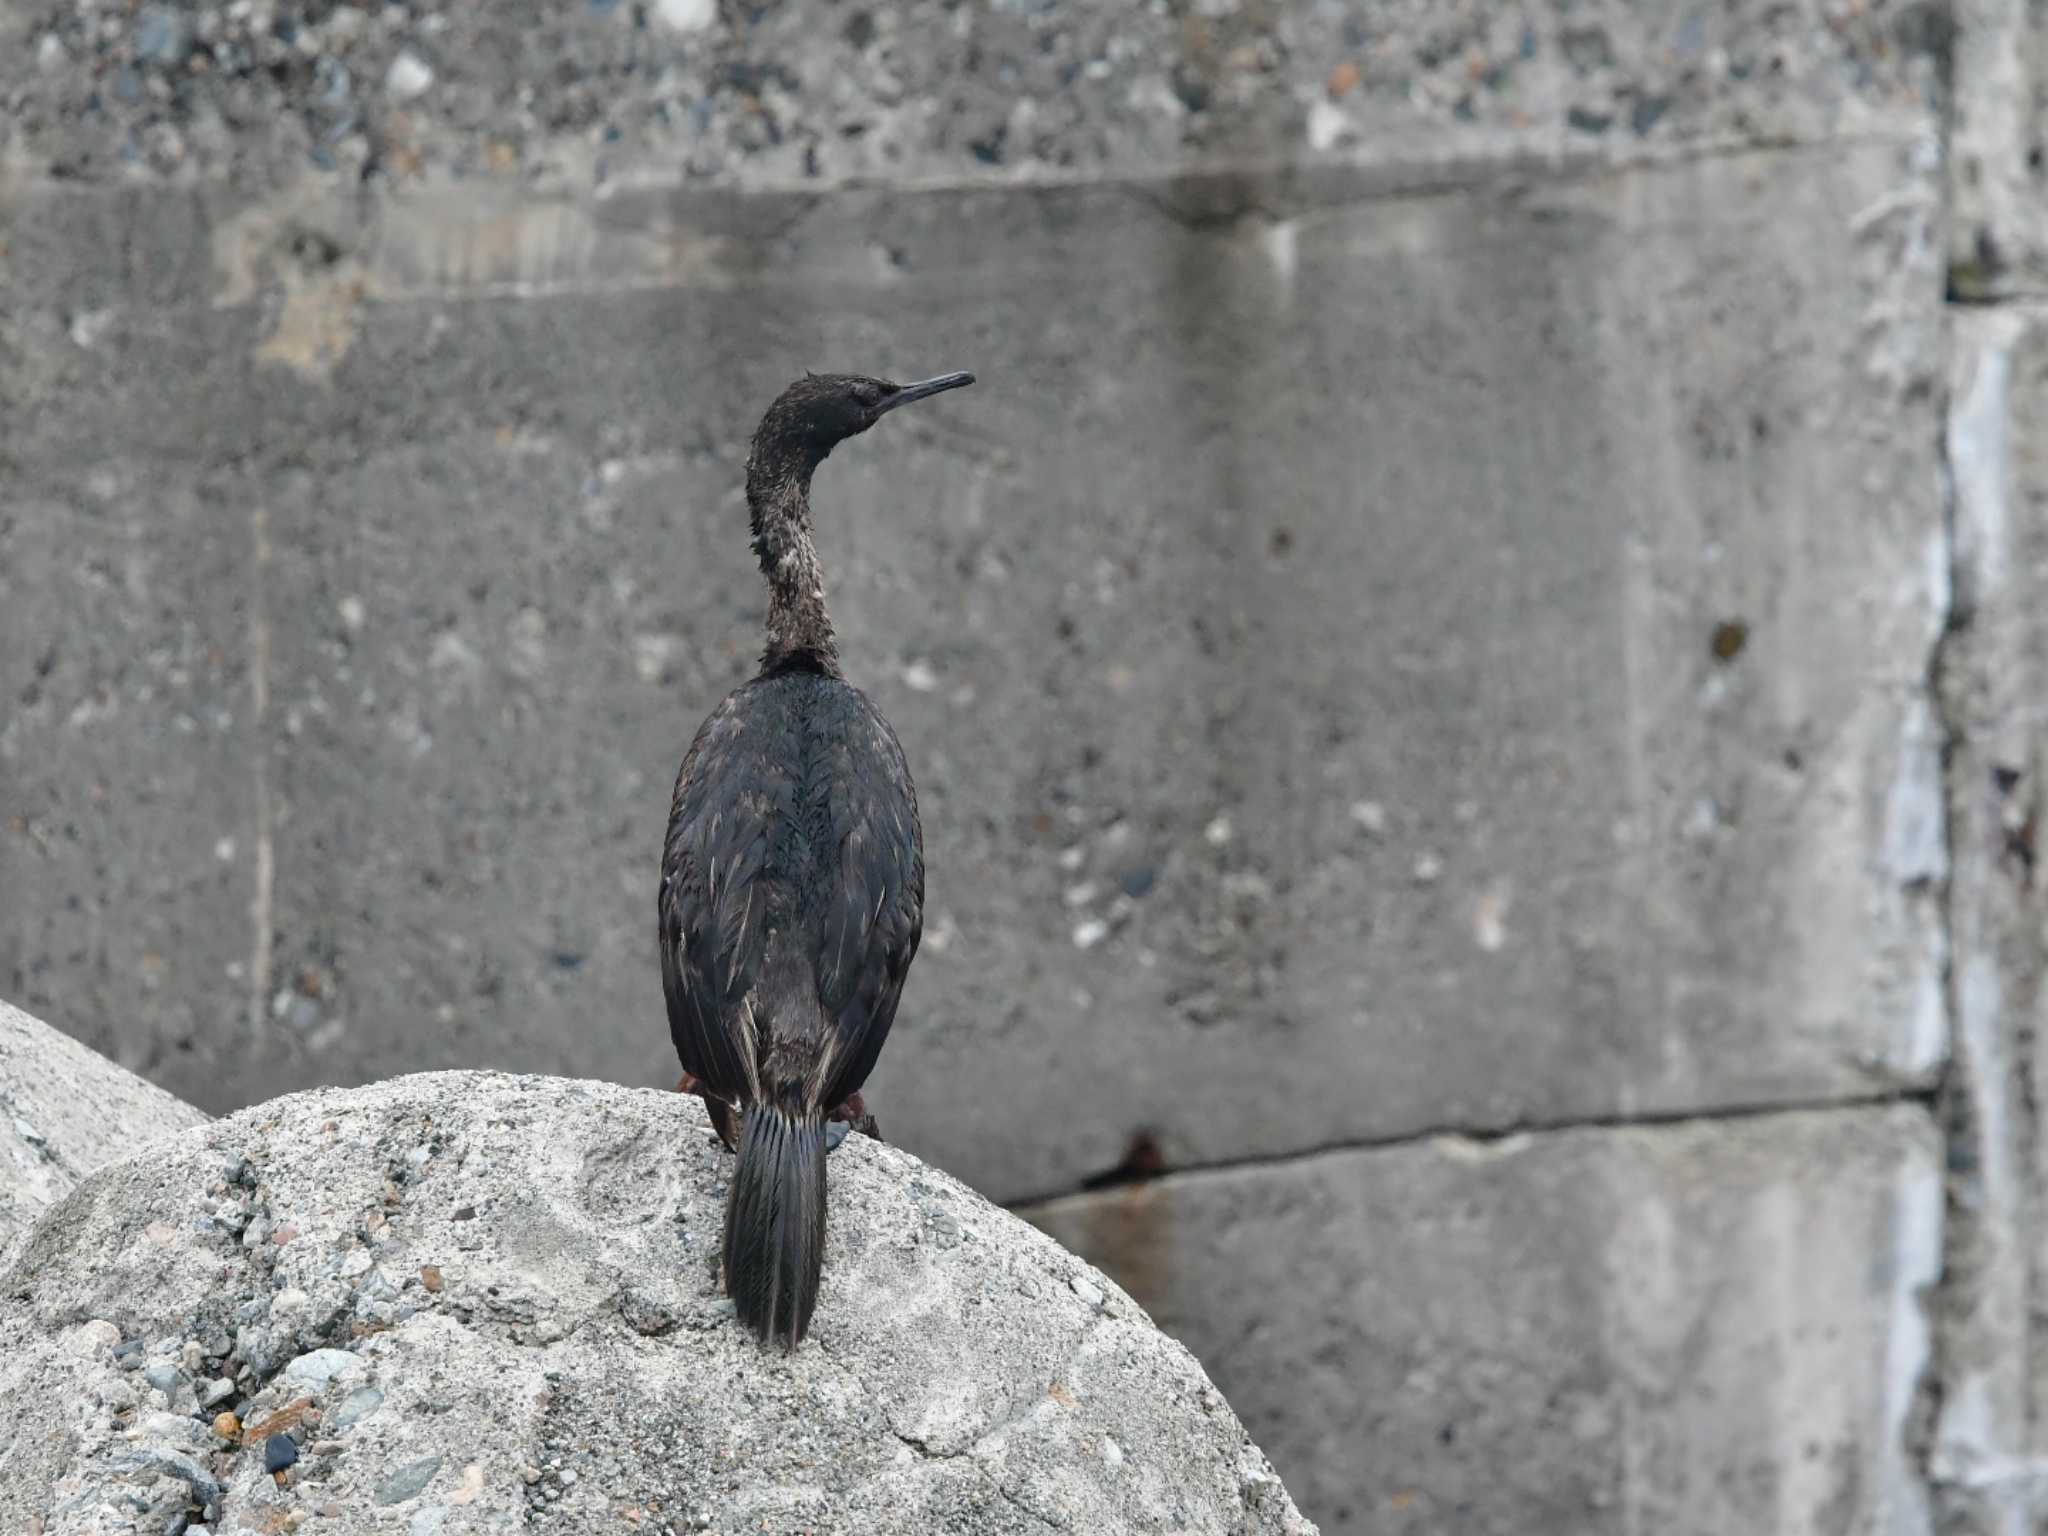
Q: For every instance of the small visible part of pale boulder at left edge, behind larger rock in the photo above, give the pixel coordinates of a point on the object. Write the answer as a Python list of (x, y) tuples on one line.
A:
[(65, 1111)]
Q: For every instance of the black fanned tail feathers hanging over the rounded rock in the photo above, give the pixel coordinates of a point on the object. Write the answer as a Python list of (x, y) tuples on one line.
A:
[(775, 1222)]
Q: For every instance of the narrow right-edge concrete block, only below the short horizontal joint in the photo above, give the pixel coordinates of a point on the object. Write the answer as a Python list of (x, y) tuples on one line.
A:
[(1990, 1457)]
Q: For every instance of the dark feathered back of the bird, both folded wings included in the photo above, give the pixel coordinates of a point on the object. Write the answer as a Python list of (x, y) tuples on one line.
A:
[(792, 892)]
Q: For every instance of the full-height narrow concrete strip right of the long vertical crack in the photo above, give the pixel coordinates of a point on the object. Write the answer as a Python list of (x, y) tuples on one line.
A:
[(1988, 1457)]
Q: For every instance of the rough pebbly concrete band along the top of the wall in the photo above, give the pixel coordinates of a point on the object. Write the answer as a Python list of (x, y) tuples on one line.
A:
[(781, 91)]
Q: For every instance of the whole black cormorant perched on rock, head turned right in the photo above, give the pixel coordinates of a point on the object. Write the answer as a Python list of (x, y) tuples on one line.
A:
[(792, 882)]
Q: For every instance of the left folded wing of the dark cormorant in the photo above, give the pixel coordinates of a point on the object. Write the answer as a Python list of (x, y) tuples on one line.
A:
[(712, 919)]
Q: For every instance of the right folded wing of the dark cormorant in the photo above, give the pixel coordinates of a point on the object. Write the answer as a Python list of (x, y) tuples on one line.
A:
[(876, 914)]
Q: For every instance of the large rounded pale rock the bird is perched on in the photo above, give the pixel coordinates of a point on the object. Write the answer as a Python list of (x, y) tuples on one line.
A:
[(470, 1302)]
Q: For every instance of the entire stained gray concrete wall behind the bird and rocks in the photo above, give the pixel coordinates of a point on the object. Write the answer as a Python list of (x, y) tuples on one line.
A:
[(1453, 611)]
